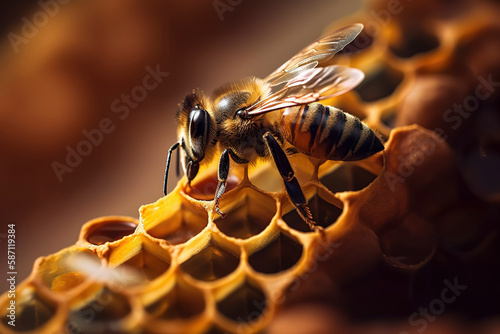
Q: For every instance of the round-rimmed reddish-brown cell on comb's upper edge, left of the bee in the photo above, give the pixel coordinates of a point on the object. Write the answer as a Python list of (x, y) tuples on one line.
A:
[(108, 229)]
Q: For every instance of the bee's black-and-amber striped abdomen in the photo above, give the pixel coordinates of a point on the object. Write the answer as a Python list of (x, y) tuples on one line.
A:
[(326, 132)]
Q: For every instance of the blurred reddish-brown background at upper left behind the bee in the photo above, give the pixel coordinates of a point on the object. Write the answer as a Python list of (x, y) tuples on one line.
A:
[(64, 72)]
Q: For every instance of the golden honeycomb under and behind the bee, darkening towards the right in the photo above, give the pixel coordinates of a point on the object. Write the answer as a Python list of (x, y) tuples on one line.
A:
[(425, 202)]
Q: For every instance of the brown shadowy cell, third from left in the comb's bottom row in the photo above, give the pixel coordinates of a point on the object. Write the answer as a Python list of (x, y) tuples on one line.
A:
[(182, 301)]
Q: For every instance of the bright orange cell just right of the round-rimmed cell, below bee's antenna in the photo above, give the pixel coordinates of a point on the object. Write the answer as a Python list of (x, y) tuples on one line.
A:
[(186, 222)]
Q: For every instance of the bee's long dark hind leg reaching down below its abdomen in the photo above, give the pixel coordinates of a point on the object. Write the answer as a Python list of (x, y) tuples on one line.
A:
[(291, 184)]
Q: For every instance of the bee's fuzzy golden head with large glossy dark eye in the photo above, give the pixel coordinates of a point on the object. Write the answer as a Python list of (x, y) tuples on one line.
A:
[(196, 132)]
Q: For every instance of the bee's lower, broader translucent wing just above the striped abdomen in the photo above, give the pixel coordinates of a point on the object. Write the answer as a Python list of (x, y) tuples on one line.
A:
[(310, 86)]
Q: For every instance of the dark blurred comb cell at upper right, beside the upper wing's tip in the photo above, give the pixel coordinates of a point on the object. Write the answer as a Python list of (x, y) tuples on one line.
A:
[(414, 41)]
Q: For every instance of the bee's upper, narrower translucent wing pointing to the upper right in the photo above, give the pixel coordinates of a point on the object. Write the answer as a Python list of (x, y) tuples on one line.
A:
[(316, 53)]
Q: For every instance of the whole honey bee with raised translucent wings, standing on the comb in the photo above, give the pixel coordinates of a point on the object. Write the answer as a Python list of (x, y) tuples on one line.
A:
[(248, 119)]
